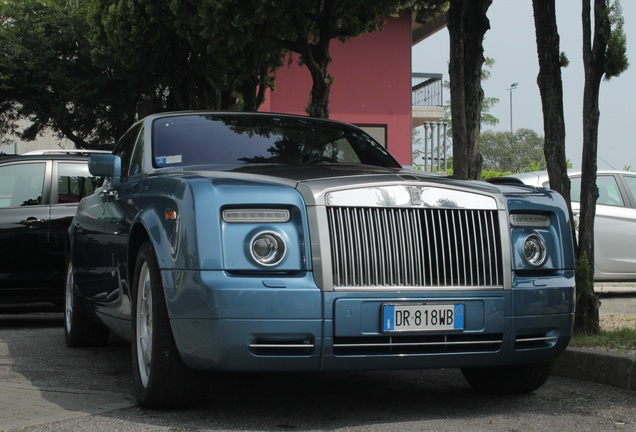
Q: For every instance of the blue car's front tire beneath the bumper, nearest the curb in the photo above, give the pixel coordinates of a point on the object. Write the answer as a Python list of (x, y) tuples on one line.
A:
[(512, 379)]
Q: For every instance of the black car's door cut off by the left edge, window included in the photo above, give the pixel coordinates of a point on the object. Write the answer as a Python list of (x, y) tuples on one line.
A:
[(24, 226)]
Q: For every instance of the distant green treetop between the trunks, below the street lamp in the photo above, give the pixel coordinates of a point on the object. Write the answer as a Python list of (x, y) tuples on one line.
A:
[(518, 152)]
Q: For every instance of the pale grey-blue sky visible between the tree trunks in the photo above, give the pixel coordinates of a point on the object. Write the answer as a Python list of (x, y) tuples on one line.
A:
[(511, 43)]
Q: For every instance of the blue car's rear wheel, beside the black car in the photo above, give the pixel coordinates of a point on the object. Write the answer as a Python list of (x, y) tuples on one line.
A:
[(79, 329)]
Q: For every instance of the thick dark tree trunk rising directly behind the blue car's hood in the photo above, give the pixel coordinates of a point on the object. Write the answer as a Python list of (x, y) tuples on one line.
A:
[(467, 24)]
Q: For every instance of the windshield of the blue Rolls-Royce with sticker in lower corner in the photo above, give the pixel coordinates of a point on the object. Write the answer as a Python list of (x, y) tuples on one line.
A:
[(261, 139)]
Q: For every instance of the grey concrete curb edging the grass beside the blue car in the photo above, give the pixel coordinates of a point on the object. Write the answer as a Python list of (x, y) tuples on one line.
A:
[(610, 368)]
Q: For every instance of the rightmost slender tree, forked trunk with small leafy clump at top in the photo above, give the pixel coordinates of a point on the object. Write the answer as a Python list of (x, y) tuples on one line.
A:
[(604, 55)]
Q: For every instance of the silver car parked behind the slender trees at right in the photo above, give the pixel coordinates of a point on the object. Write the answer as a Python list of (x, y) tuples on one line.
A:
[(615, 224)]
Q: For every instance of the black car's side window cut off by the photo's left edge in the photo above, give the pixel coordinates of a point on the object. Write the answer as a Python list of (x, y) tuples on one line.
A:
[(21, 184)]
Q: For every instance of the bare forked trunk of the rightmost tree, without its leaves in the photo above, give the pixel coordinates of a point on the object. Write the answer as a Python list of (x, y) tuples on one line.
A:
[(587, 317)]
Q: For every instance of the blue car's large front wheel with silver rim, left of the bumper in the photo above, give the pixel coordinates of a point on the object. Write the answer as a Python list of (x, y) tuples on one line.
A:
[(161, 378)]
